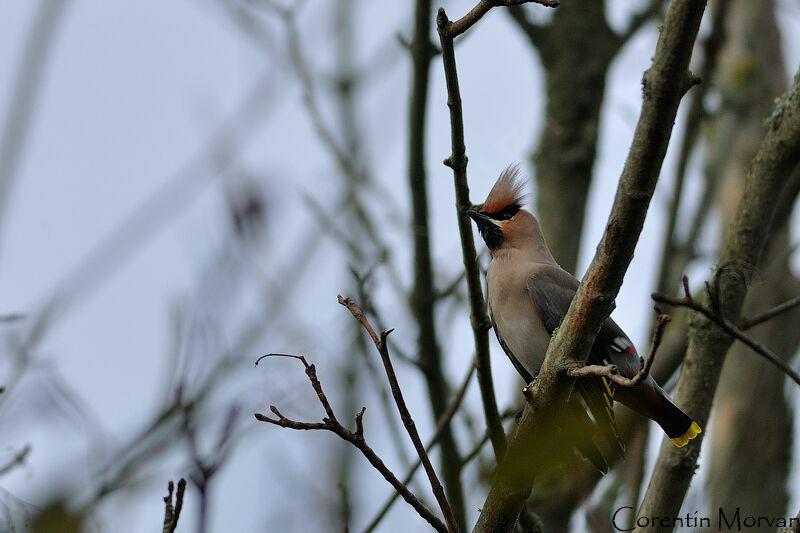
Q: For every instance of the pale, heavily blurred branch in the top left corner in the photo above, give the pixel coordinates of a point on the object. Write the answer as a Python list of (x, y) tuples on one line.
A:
[(31, 69)]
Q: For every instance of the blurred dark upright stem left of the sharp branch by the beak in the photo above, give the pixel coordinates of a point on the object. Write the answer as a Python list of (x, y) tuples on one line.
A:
[(423, 296)]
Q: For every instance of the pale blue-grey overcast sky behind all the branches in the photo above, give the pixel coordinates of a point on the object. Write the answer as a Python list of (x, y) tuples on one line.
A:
[(130, 96)]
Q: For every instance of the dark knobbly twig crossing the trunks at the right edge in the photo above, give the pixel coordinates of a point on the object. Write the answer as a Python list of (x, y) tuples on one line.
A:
[(730, 328)]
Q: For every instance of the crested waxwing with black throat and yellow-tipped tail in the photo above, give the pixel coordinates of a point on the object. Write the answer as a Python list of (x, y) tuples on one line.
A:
[(528, 296)]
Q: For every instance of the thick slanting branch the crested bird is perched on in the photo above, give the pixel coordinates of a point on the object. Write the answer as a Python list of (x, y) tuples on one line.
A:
[(664, 85)]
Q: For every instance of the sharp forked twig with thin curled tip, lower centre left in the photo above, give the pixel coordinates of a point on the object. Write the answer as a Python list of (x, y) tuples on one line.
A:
[(356, 438)]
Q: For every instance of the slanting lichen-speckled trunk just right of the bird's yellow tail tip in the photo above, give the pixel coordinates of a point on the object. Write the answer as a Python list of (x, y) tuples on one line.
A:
[(743, 243)]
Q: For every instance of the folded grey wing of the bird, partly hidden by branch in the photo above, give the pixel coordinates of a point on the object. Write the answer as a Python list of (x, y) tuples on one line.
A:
[(551, 290)]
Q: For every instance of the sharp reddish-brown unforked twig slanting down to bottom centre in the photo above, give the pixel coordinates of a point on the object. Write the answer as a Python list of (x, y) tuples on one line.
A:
[(405, 415)]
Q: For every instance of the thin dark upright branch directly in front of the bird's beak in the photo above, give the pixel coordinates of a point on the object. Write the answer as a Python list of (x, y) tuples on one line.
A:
[(478, 317)]
